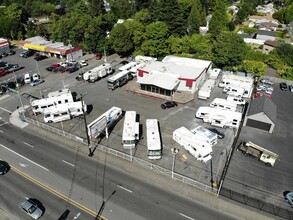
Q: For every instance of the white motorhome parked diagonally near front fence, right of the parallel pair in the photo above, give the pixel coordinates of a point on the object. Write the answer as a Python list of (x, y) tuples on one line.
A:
[(202, 151)]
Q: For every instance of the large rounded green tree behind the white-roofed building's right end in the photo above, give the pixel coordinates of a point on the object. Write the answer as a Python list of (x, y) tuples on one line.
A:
[(229, 50)]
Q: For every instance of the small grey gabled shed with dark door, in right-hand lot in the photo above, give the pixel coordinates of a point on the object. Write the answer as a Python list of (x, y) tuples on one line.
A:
[(261, 114)]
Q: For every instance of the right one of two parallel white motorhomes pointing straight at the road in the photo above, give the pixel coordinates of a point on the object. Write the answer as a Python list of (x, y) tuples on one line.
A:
[(154, 144)]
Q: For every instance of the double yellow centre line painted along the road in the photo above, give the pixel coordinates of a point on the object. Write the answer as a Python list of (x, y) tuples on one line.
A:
[(55, 192)]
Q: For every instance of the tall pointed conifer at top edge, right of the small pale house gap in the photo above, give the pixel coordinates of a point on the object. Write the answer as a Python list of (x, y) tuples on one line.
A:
[(219, 18)]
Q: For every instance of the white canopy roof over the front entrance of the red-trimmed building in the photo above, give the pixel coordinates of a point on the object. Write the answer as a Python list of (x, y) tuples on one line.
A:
[(165, 81)]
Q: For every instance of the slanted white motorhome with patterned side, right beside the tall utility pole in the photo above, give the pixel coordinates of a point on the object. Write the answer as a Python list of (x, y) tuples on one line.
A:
[(112, 116)]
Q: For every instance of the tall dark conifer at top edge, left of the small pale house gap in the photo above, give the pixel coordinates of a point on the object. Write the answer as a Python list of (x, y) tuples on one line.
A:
[(195, 19)]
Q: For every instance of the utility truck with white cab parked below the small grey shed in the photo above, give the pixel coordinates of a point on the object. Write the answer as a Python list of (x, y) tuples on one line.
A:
[(250, 149)]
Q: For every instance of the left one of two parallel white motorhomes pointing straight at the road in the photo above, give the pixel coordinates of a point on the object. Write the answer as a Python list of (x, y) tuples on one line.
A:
[(130, 135)]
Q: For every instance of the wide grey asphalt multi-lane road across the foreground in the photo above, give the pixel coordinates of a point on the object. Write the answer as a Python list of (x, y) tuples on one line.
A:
[(62, 177)]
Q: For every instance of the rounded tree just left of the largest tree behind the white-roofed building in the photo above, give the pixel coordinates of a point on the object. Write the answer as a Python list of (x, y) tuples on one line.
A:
[(121, 40)]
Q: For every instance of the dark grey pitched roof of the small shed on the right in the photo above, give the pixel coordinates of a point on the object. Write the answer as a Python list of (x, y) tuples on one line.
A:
[(263, 104)]
